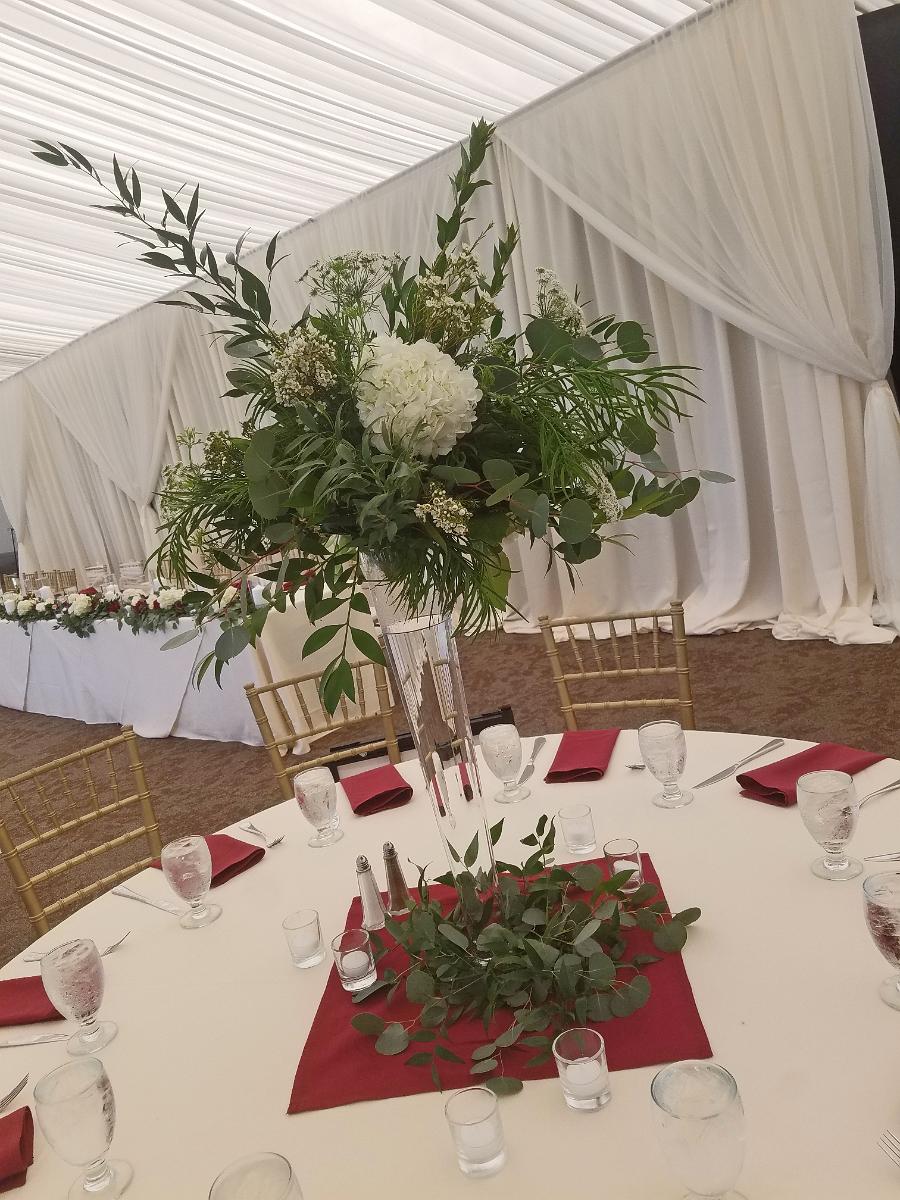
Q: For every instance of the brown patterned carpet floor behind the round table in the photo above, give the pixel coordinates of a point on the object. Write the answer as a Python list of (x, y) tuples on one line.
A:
[(742, 682)]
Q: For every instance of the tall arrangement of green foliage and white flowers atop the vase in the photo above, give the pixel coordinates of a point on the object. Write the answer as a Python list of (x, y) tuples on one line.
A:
[(398, 419)]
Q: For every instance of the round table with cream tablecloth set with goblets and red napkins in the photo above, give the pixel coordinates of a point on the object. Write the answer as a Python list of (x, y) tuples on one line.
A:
[(212, 1024)]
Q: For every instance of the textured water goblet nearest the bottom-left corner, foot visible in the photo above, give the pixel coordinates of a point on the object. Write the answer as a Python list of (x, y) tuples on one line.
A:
[(76, 1111)]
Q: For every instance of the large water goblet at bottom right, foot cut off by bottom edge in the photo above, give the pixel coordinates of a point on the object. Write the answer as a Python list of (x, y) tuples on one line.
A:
[(701, 1127)]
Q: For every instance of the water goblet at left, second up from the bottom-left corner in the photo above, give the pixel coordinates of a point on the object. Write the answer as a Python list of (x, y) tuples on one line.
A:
[(74, 979)]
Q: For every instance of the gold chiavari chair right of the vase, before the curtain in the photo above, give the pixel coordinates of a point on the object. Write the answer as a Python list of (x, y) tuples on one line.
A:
[(633, 656)]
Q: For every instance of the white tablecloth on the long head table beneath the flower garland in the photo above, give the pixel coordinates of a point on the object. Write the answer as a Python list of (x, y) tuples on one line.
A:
[(119, 677)]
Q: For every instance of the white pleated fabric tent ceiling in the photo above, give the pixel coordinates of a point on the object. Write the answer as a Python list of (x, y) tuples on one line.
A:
[(280, 110)]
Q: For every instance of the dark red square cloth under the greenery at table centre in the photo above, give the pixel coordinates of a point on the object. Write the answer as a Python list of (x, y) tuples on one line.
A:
[(341, 1066)]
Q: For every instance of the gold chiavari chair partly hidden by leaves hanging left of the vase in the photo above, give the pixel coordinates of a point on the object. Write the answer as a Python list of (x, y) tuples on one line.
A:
[(295, 705)]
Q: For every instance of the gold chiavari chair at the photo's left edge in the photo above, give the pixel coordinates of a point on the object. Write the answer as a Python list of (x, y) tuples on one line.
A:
[(74, 800)]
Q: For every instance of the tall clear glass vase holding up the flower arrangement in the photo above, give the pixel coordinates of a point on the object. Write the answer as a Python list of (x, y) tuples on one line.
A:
[(422, 652)]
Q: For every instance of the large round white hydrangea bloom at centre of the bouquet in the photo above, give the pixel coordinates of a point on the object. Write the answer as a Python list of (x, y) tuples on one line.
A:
[(416, 395)]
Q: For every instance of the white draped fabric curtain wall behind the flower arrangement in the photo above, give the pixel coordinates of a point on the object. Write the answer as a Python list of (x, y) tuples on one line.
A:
[(722, 185)]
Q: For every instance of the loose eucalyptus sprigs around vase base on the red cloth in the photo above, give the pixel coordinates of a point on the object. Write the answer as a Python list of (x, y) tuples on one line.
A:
[(553, 958)]
